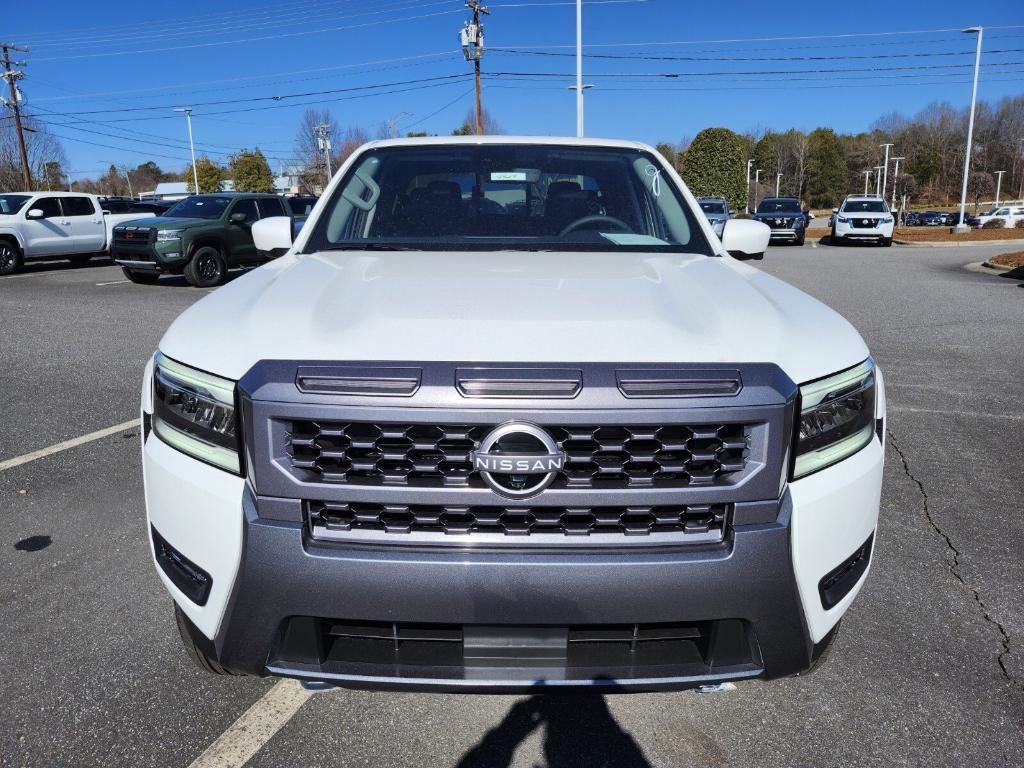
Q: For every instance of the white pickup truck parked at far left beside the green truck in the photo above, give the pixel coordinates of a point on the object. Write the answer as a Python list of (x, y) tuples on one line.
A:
[(51, 226)]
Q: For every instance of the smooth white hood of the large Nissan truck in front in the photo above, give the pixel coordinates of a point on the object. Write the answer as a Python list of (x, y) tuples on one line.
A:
[(513, 308)]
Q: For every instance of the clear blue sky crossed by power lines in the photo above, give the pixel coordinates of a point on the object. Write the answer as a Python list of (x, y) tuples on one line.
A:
[(662, 70)]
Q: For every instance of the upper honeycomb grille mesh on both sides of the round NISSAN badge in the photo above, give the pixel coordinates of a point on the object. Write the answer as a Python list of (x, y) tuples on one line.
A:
[(439, 456)]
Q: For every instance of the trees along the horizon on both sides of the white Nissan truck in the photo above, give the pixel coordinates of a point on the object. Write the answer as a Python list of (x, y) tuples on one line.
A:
[(821, 167)]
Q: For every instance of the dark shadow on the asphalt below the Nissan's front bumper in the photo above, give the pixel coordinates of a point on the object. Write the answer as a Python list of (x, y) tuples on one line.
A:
[(580, 732)]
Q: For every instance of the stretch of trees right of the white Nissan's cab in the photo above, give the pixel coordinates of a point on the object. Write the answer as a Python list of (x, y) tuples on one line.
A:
[(822, 167)]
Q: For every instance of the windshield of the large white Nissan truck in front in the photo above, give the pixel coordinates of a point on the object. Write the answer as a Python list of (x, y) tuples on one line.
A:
[(507, 197)]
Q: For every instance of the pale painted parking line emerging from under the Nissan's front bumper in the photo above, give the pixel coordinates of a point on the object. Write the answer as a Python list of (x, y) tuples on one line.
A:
[(249, 734)]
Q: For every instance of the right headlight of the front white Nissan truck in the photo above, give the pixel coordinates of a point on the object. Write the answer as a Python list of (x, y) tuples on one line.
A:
[(837, 418)]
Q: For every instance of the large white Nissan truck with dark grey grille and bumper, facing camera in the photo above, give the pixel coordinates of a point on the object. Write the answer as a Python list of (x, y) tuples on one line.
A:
[(508, 414)]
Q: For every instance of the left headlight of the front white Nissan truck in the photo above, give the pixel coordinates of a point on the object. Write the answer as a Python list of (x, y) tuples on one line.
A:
[(194, 412)]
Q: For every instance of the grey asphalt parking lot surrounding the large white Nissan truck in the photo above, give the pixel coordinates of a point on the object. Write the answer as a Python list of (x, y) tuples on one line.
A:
[(928, 669)]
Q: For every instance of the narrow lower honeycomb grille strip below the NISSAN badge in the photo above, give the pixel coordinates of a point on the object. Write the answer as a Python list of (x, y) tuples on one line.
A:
[(695, 523)]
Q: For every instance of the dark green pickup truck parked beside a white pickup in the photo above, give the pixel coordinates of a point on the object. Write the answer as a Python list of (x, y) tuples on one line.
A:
[(202, 238)]
